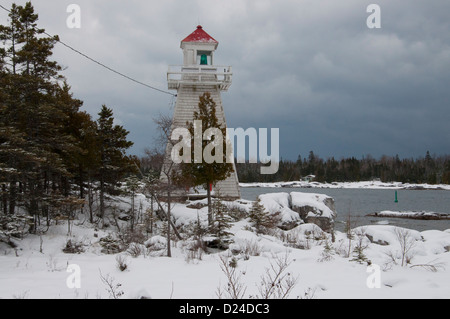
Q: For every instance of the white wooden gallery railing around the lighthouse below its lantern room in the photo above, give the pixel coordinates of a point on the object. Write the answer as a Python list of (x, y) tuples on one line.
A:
[(199, 75)]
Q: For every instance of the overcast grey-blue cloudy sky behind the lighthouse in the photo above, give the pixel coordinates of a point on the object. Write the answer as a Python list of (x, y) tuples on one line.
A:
[(311, 68)]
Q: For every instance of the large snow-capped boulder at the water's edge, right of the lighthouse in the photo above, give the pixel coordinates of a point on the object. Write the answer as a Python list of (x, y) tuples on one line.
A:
[(318, 209)]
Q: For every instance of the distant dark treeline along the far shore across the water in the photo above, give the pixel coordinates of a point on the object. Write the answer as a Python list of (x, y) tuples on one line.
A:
[(428, 169)]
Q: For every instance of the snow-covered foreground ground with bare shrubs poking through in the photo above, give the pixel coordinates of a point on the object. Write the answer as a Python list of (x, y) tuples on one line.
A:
[(38, 268)]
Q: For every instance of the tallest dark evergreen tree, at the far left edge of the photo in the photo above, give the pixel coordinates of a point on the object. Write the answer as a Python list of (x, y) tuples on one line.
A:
[(30, 115)]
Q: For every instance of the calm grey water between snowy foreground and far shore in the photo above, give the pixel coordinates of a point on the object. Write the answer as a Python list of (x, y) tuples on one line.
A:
[(359, 202)]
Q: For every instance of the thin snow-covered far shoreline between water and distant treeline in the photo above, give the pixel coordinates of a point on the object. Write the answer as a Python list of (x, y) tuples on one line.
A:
[(364, 184)]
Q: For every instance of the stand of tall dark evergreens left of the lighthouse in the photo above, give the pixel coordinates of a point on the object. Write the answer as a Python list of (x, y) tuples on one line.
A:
[(51, 153)]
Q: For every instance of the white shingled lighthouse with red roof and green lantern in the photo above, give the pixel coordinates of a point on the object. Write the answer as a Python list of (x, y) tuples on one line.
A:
[(198, 75)]
